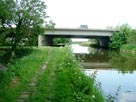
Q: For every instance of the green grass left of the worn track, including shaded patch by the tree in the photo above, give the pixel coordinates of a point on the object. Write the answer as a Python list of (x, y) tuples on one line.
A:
[(19, 73)]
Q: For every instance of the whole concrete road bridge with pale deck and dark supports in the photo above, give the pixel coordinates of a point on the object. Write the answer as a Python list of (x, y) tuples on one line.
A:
[(101, 35)]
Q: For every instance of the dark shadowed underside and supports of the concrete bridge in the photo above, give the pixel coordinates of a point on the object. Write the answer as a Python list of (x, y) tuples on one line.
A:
[(48, 39)]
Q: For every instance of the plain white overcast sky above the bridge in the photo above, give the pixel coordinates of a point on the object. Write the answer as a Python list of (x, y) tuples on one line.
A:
[(94, 13)]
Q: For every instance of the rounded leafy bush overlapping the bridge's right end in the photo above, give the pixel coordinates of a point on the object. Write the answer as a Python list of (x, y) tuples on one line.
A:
[(119, 38)]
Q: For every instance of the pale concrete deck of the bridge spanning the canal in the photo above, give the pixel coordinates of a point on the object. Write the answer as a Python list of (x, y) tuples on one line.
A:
[(79, 32)]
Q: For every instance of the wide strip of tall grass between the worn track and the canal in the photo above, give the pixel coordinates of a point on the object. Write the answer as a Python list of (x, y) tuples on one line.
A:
[(66, 81)]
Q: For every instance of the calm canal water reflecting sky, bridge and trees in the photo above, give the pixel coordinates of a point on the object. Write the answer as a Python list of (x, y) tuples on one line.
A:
[(116, 72)]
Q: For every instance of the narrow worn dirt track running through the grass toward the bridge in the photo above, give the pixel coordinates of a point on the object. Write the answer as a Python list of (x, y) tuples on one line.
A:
[(32, 87)]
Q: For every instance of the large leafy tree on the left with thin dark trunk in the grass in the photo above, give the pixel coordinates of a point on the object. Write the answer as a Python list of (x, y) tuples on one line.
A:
[(24, 19)]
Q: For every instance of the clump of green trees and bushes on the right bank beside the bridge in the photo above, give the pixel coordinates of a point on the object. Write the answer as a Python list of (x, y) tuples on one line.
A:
[(125, 35)]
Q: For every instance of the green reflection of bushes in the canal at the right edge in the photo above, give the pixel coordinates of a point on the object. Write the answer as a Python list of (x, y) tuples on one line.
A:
[(123, 62)]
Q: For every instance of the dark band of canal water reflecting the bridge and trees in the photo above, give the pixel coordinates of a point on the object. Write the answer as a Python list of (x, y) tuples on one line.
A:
[(102, 58)]
